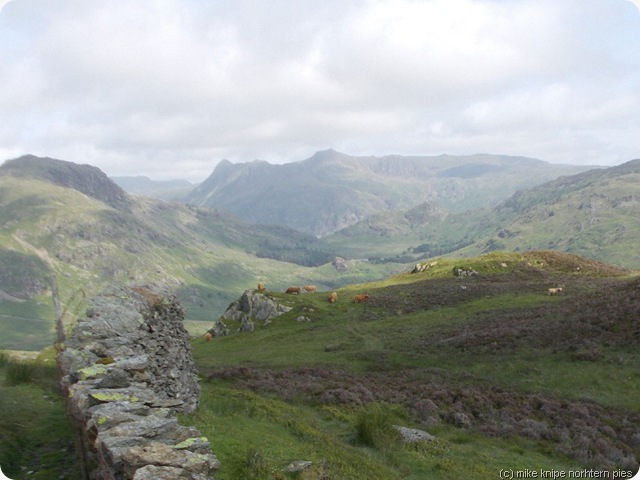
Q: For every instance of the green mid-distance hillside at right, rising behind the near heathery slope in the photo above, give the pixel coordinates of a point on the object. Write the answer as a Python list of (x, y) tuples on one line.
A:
[(594, 213)]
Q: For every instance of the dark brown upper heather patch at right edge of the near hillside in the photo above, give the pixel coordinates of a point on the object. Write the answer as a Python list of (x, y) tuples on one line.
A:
[(605, 314)]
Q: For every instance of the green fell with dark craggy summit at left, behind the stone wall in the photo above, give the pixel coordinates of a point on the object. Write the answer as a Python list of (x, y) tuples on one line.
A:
[(68, 220)]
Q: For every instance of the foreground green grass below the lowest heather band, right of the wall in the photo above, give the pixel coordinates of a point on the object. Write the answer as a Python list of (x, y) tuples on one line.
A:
[(257, 436)]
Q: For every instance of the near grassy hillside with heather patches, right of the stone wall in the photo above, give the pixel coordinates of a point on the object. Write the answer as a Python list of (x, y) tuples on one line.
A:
[(542, 382)]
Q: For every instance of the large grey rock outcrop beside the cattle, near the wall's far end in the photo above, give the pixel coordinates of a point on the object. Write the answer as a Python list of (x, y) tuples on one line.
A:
[(252, 307)]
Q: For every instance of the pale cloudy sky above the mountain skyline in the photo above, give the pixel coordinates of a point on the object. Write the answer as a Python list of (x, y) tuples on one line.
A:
[(168, 88)]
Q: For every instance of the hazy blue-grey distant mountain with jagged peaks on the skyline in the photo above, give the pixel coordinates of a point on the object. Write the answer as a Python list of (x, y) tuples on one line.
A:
[(332, 190)]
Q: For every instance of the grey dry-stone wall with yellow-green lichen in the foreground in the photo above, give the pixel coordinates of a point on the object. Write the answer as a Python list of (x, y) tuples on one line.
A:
[(126, 371)]
